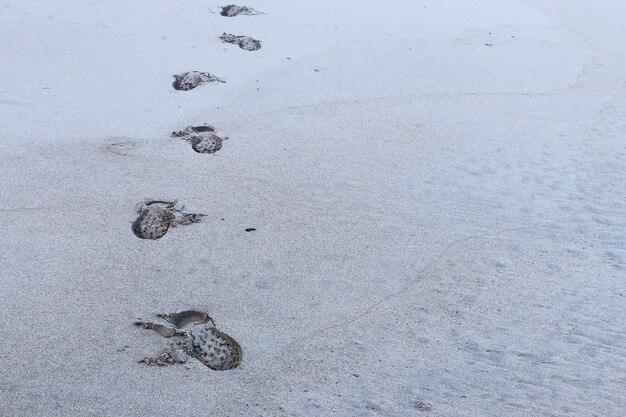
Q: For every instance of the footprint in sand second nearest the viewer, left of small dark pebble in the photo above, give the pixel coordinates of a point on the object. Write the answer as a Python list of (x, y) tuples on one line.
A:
[(156, 217)]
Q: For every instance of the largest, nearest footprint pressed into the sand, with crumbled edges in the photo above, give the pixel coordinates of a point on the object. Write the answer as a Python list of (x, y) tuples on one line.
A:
[(194, 335)]
